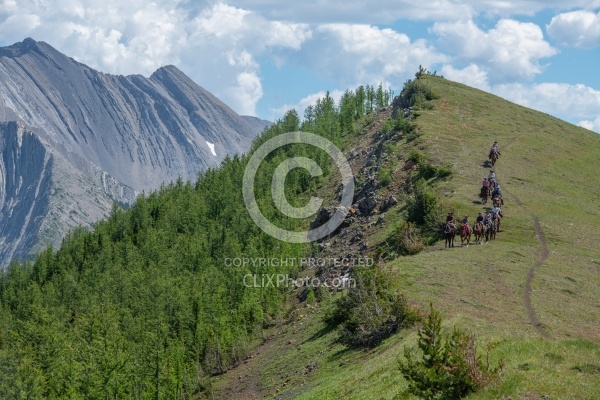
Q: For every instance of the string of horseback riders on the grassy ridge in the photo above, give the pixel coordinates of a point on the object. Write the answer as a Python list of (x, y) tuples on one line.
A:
[(485, 225)]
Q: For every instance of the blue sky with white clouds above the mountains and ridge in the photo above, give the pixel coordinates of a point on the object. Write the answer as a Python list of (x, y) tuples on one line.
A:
[(262, 57)]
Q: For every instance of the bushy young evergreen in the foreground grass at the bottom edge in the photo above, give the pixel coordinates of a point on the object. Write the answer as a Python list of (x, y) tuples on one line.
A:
[(449, 367)]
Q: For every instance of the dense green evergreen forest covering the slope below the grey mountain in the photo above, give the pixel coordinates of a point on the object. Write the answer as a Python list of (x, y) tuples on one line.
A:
[(142, 305)]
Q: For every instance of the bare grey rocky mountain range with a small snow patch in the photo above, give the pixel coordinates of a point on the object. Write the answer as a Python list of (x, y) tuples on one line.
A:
[(74, 140)]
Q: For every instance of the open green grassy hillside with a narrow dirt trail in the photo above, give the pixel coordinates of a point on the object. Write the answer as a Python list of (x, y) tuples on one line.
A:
[(531, 296)]
